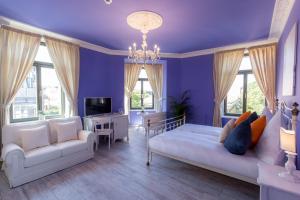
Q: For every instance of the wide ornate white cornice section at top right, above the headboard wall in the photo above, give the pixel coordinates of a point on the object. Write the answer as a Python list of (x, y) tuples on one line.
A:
[(281, 13)]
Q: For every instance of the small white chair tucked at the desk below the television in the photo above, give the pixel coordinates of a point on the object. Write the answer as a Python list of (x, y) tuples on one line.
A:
[(102, 126)]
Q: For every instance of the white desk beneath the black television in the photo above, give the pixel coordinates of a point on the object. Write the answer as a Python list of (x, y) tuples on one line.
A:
[(119, 124)]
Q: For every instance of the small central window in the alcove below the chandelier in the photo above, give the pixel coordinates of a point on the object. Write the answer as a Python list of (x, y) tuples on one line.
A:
[(142, 97)]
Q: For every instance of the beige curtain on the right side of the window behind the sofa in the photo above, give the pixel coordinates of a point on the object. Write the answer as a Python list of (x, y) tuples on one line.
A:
[(65, 58)]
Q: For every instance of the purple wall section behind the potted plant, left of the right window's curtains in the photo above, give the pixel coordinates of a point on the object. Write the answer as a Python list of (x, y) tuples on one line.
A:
[(197, 76)]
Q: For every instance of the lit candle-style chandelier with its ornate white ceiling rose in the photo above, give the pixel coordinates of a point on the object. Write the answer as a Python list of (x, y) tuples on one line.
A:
[(144, 21)]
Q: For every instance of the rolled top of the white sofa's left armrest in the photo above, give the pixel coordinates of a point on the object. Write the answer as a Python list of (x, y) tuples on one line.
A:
[(11, 150)]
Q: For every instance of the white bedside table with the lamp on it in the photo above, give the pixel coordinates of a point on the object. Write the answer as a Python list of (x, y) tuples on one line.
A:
[(273, 187)]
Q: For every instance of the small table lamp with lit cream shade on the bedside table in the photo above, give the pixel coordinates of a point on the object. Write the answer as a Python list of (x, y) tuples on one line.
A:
[(288, 144)]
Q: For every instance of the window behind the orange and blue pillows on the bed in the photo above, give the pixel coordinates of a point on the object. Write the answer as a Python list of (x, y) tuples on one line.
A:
[(244, 94)]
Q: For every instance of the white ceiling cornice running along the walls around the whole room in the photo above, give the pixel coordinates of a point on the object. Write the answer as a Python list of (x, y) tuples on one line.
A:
[(282, 10)]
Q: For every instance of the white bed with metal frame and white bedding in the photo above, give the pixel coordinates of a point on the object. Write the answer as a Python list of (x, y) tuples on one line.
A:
[(199, 145)]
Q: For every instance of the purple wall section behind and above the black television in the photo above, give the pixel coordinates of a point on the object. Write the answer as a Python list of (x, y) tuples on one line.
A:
[(100, 75)]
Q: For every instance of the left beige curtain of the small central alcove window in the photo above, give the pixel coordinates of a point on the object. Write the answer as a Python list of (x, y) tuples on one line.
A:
[(132, 72)]
